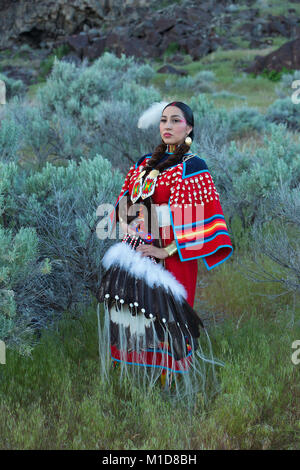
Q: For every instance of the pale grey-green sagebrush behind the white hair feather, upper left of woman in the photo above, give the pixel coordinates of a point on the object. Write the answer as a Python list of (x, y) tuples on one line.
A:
[(68, 120)]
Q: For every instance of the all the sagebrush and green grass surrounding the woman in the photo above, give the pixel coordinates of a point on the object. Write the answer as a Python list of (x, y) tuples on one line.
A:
[(57, 155)]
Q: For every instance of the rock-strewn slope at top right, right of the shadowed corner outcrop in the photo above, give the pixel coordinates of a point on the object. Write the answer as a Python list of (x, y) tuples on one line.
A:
[(191, 27)]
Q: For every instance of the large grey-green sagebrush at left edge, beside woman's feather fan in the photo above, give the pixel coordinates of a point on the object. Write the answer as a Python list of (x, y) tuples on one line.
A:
[(50, 253)]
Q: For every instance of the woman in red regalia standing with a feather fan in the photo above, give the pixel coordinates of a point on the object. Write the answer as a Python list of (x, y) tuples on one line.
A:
[(170, 212)]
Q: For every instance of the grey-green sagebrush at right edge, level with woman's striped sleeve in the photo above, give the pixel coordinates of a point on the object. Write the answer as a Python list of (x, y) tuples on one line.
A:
[(246, 179)]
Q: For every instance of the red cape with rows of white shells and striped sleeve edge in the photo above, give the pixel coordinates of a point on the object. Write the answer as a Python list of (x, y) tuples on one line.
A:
[(196, 215)]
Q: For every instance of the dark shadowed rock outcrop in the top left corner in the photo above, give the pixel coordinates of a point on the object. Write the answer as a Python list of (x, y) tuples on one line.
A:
[(35, 21)]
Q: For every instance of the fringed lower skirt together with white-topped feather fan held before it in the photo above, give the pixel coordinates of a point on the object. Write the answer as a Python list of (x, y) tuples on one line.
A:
[(148, 328)]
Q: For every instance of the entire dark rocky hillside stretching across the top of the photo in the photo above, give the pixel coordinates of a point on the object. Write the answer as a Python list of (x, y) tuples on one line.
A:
[(146, 29)]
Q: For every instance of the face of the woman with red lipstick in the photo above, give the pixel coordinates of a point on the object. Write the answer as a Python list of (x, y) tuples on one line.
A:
[(173, 126)]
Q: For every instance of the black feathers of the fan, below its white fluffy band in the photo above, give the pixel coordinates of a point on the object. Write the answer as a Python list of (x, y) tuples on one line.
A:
[(175, 319)]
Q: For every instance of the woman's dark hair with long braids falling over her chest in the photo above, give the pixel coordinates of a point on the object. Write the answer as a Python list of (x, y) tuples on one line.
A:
[(174, 158)]
